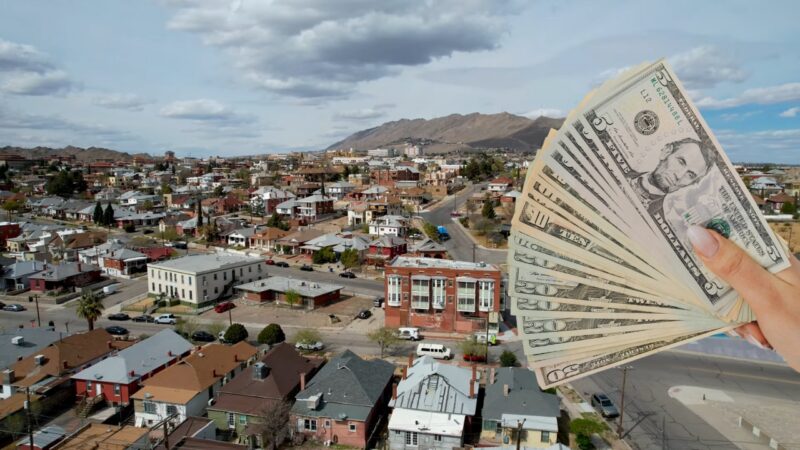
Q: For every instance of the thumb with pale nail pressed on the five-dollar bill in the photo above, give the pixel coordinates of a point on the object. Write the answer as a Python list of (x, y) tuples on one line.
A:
[(729, 262)]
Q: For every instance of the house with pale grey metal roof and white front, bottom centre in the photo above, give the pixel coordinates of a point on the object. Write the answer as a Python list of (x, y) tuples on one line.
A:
[(433, 406)]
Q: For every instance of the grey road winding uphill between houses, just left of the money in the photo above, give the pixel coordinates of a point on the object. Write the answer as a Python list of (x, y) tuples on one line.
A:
[(460, 246)]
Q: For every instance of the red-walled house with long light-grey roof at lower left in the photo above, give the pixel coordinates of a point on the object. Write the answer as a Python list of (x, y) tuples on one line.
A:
[(117, 377)]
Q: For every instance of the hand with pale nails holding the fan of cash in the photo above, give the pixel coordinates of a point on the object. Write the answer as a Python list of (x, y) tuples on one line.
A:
[(774, 298)]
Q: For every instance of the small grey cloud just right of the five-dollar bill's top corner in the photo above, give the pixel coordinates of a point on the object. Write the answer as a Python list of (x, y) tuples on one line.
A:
[(706, 66)]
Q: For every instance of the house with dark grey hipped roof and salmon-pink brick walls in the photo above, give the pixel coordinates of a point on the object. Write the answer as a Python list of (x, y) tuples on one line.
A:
[(345, 401)]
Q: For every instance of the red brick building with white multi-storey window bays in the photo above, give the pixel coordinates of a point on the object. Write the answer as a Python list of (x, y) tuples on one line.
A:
[(442, 295)]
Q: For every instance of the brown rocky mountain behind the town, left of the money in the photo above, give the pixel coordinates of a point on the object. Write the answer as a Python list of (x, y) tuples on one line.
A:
[(456, 132)]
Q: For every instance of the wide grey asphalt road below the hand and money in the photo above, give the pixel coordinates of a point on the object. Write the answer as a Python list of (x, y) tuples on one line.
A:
[(647, 391)]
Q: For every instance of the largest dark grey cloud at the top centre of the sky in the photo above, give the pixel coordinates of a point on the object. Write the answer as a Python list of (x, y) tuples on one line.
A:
[(322, 49)]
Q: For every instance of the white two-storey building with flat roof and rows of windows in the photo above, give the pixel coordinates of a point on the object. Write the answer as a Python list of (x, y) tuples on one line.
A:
[(202, 279)]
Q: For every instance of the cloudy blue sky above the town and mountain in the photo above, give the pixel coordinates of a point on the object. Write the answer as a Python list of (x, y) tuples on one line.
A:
[(241, 77)]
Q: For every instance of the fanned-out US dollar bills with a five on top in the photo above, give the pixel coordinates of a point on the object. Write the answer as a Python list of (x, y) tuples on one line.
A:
[(601, 271)]
